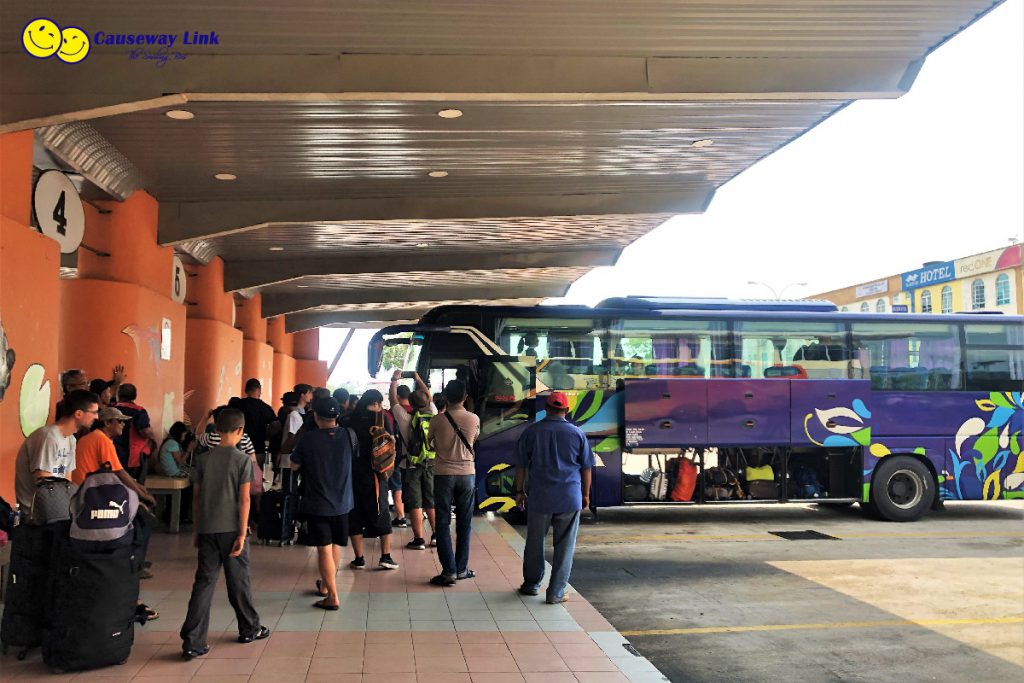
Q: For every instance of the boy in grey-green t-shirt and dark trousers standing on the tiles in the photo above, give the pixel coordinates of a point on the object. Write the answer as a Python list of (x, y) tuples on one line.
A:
[(221, 510)]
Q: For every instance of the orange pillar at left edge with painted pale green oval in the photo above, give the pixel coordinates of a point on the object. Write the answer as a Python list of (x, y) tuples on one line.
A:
[(30, 307)]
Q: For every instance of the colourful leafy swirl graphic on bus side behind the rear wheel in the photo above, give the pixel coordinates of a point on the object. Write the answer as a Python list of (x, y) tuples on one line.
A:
[(984, 450)]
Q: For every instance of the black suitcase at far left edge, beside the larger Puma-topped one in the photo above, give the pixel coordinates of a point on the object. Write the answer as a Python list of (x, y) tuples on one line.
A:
[(28, 587)]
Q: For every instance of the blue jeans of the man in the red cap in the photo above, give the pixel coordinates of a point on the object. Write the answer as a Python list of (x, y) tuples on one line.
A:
[(566, 526)]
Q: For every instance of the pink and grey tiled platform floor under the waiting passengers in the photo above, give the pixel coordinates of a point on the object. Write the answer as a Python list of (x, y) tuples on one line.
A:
[(393, 626)]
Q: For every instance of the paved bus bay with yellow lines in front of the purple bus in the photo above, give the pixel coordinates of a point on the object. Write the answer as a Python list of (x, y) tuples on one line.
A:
[(711, 595)]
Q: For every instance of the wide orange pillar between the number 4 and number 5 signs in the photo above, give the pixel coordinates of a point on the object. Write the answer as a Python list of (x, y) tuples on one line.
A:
[(119, 311)]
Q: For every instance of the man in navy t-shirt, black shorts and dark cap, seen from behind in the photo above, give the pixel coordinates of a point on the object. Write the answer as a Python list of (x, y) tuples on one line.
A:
[(325, 459)]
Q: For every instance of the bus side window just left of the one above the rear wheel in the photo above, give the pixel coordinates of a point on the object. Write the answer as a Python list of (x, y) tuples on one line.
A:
[(813, 351)]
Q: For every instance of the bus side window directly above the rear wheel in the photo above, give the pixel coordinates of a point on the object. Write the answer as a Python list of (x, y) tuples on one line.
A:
[(902, 357)]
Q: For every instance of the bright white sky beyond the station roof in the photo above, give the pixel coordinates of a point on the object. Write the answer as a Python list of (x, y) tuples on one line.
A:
[(877, 190)]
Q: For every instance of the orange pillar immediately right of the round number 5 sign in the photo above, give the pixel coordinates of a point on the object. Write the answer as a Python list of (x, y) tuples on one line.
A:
[(214, 347)]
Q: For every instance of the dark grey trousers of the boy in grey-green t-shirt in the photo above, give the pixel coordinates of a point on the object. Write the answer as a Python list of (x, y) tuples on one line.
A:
[(215, 552)]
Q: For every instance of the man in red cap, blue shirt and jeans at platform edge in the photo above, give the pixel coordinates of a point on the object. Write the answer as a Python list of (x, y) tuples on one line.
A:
[(558, 457)]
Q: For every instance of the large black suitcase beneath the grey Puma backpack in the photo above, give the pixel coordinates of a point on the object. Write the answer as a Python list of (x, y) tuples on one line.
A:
[(93, 610)]
